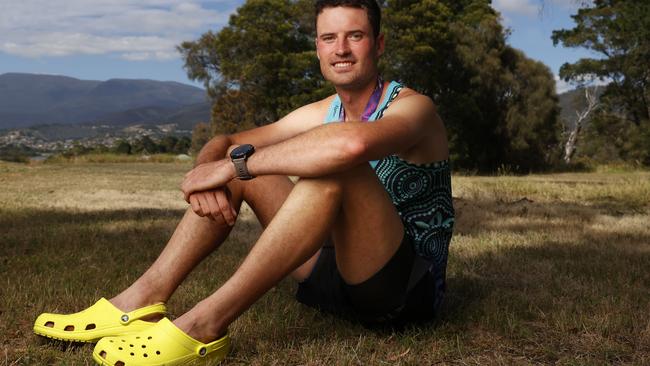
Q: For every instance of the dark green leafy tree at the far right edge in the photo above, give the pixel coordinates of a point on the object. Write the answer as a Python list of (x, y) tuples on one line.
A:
[(619, 32)]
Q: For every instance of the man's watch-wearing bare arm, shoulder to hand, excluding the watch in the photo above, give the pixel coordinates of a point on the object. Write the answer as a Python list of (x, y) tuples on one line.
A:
[(330, 148)]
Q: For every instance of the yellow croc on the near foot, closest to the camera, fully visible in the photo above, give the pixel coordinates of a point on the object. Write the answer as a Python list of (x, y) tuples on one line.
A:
[(161, 344)]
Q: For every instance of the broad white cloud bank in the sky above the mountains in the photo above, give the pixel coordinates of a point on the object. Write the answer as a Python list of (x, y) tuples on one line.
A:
[(130, 29)]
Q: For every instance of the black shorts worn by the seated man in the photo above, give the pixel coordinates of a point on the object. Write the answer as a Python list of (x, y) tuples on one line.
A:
[(398, 294)]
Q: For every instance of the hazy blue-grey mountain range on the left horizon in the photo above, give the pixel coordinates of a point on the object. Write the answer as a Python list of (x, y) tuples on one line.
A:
[(30, 99)]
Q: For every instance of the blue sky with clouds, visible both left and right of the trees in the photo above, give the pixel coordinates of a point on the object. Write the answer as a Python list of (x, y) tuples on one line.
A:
[(137, 39)]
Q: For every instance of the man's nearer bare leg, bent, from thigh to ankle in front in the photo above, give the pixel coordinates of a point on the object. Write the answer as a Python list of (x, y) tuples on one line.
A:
[(353, 206)]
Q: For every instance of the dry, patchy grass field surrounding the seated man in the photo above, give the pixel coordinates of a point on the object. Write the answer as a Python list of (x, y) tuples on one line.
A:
[(543, 269)]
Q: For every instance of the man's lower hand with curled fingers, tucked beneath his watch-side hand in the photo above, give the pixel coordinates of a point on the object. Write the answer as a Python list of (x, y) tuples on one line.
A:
[(215, 204)]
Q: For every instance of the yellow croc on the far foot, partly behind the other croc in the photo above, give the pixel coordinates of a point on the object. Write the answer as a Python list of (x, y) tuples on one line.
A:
[(100, 320)]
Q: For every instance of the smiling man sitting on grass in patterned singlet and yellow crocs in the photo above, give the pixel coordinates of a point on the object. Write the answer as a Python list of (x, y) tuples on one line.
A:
[(386, 225)]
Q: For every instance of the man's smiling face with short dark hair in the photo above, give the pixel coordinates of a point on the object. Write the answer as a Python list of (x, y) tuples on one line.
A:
[(346, 47)]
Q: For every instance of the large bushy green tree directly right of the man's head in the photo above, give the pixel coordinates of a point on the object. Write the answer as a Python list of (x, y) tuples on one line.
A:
[(500, 107)]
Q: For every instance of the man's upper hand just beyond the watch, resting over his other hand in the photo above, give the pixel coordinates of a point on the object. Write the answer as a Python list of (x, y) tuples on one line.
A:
[(208, 176)]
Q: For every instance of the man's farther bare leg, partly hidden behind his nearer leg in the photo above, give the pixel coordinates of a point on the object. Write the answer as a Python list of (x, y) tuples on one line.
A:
[(196, 237)]
